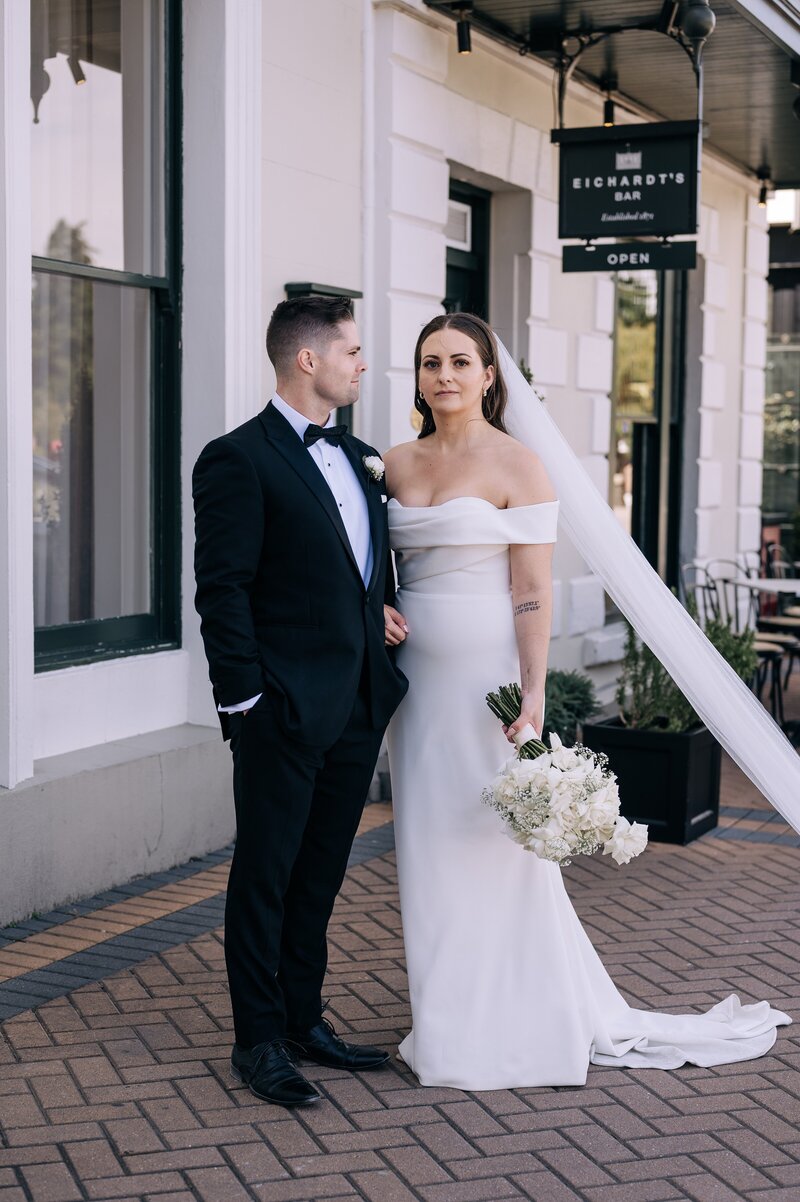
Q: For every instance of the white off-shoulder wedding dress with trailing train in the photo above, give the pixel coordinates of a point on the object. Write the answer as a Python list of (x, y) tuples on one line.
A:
[(506, 989)]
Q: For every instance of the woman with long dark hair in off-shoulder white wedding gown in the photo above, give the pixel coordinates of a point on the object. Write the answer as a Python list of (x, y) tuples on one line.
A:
[(506, 989)]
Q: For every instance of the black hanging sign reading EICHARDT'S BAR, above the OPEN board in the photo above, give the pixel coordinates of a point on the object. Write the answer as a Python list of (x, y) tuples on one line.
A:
[(629, 180)]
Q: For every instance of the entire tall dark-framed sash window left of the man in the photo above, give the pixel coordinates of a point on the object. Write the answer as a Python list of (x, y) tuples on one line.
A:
[(105, 320)]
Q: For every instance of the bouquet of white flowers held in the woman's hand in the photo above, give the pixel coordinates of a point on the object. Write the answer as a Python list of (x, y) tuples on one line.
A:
[(559, 802)]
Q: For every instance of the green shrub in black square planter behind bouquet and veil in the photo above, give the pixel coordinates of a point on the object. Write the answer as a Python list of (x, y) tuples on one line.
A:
[(666, 760)]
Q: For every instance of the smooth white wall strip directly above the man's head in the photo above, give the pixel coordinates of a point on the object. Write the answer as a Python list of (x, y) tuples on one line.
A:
[(312, 151)]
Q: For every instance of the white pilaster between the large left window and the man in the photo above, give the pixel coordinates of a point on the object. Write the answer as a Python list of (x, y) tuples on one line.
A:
[(223, 336)]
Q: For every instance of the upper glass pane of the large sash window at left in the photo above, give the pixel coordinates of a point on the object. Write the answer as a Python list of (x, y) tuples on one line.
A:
[(98, 139)]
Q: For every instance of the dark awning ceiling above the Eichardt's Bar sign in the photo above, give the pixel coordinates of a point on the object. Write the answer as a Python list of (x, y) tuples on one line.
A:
[(748, 96)]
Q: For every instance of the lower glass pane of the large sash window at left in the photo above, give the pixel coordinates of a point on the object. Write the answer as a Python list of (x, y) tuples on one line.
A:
[(92, 450)]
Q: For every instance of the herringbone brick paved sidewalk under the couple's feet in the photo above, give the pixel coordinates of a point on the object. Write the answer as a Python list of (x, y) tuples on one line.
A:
[(120, 1090)]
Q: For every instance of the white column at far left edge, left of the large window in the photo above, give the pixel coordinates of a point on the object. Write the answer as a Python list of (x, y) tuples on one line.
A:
[(16, 466)]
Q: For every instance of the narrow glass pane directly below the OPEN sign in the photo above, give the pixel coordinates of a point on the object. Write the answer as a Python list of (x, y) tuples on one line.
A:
[(635, 380)]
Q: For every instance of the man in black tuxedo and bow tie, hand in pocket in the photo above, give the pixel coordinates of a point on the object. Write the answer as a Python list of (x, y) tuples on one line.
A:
[(292, 568)]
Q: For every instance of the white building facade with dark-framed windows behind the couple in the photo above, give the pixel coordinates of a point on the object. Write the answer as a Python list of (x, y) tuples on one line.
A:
[(254, 145)]
